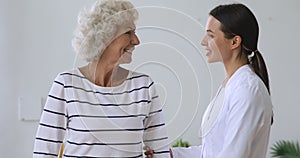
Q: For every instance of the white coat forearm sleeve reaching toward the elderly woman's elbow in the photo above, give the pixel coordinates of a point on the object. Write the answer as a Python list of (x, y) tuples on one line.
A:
[(190, 152)]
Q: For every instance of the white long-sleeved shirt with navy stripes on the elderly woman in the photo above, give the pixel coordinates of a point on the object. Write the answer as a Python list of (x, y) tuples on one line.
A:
[(94, 121)]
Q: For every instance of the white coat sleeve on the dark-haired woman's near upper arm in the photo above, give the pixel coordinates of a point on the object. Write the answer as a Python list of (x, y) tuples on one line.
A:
[(245, 117)]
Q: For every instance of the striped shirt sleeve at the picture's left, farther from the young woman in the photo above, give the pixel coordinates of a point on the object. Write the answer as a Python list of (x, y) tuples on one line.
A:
[(51, 129)]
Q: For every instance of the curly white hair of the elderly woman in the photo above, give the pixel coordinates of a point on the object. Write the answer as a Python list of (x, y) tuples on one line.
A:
[(98, 26)]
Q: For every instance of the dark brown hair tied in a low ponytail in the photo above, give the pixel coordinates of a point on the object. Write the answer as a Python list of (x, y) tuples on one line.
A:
[(237, 19)]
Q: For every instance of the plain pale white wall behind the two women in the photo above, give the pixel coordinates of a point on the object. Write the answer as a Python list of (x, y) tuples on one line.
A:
[(35, 45)]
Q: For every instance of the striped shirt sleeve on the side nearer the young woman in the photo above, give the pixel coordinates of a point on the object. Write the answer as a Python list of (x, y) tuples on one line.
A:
[(155, 134)]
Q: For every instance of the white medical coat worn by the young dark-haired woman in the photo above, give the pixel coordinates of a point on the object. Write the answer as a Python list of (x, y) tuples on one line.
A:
[(242, 127)]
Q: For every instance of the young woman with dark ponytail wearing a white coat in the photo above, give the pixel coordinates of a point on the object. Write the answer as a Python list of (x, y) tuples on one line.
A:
[(237, 122)]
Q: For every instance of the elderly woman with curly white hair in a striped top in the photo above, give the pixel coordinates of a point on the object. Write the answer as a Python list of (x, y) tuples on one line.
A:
[(102, 109)]
